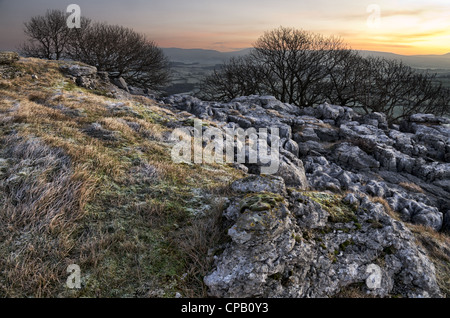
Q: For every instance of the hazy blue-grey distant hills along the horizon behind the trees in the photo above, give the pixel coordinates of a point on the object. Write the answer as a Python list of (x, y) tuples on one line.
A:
[(211, 57)]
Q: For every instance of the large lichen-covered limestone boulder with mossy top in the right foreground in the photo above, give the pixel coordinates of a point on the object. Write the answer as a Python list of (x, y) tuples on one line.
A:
[(317, 245)]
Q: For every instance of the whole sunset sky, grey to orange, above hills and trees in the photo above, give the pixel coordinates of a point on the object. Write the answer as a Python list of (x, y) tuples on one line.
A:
[(408, 27)]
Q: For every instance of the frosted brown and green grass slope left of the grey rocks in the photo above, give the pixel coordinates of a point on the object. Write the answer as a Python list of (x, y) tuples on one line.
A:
[(117, 207)]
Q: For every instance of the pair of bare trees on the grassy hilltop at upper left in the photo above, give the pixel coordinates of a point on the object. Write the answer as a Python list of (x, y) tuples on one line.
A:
[(116, 49)]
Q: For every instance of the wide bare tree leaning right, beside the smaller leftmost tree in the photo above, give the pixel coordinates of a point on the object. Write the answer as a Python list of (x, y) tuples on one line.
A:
[(122, 52)]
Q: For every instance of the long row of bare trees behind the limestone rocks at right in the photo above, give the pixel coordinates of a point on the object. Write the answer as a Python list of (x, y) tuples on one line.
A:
[(306, 69)]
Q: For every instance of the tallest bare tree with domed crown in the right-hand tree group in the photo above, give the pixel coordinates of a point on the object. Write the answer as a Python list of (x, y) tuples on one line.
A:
[(295, 62)]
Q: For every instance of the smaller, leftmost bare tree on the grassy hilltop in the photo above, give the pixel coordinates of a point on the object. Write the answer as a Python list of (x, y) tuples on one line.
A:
[(48, 36)]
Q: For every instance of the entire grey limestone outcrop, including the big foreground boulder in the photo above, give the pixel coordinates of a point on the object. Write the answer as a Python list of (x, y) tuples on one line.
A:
[(345, 187)]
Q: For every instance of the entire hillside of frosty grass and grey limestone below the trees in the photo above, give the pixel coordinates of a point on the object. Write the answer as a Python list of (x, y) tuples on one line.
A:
[(88, 177)]
